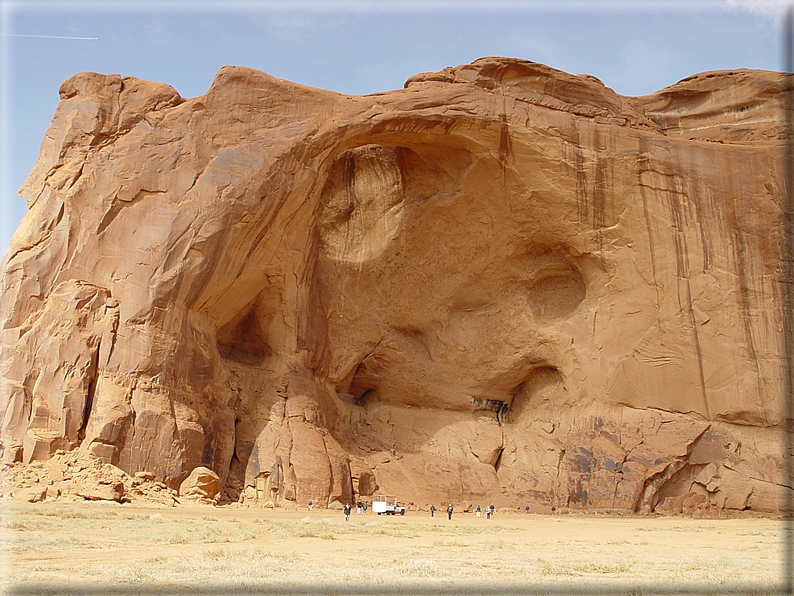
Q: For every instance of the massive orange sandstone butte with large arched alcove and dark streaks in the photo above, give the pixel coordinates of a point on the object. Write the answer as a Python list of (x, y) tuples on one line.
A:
[(501, 284)]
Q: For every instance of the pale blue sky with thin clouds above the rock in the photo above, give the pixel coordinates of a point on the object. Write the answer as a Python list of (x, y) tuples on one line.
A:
[(352, 46)]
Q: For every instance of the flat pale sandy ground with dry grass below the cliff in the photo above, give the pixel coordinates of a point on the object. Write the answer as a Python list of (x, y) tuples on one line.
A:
[(96, 548)]
